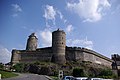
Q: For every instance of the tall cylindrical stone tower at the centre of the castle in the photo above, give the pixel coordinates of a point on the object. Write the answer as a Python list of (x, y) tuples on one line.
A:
[(58, 46)]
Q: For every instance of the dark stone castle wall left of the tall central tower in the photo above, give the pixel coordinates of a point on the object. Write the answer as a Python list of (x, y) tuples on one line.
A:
[(24, 56)]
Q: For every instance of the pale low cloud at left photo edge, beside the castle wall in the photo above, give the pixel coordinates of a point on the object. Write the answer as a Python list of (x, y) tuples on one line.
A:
[(5, 55)]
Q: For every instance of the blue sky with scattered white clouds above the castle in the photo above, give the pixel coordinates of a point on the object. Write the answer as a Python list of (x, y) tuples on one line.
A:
[(93, 24)]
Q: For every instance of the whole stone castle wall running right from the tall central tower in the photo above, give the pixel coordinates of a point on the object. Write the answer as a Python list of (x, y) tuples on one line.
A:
[(83, 54)]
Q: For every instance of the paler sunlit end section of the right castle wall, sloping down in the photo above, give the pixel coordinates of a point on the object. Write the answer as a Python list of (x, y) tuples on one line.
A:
[(90, 55)]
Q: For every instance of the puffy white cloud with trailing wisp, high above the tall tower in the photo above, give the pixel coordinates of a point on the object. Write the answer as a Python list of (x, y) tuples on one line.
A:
[(51, 14)]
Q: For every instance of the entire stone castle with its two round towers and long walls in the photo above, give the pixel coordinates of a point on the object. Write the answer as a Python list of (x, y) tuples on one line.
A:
[(59, 53)]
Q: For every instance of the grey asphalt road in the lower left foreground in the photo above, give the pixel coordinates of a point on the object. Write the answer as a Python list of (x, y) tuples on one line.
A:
[(28, 77)]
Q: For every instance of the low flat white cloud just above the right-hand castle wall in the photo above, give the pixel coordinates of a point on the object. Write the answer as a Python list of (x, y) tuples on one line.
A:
[(80, 43)]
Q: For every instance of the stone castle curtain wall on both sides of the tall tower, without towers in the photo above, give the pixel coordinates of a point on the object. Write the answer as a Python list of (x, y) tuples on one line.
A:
[(72, 54)]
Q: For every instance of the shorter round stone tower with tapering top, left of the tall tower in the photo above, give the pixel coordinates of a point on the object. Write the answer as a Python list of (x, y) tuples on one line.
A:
[(32, 42)]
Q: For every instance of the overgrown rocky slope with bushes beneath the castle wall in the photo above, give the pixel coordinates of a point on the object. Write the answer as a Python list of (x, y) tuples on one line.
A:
[(77, 69)]
